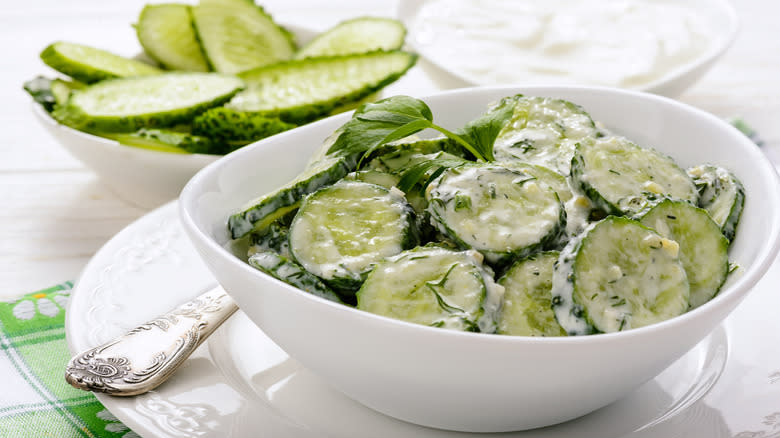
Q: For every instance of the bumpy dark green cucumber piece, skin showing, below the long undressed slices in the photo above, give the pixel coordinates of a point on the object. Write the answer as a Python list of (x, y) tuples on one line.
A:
[(225, 124)]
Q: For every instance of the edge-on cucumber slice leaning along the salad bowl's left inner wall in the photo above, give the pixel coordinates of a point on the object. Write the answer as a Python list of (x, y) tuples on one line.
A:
[(261, 212)]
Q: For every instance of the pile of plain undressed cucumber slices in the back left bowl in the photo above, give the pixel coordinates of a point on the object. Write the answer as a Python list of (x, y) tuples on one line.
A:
[(216, 76)]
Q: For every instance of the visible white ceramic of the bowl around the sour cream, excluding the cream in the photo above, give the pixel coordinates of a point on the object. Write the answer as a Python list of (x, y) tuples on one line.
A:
[(719, 13)]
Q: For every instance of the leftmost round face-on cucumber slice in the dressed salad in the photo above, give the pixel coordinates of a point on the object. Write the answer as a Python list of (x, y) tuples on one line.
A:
[(341, 231)]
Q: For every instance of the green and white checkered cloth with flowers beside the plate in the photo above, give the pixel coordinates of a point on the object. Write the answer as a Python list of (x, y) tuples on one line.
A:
[(35, 400)]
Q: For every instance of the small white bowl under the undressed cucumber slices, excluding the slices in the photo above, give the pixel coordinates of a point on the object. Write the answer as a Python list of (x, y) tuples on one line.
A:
[(145, 177)]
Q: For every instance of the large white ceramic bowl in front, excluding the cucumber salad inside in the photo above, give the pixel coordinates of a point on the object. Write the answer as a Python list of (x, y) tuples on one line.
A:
[(468, 381)]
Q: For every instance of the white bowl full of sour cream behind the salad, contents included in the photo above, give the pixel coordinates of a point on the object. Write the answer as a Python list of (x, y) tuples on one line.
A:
[(659, 47)]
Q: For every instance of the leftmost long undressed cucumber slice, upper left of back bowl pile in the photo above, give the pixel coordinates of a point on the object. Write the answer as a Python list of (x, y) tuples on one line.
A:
[(88, 64)]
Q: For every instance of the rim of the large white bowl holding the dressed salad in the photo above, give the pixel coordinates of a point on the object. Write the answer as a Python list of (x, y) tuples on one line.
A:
[(732, 294)]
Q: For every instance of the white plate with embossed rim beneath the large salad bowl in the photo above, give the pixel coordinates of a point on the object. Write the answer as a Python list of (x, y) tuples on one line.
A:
[(240, 384)]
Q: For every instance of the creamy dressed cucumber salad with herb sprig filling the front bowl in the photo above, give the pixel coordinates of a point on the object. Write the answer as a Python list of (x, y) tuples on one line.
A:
[(530, 220)]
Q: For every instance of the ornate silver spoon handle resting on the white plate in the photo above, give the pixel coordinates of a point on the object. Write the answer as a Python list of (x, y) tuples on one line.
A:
[(146, 356)]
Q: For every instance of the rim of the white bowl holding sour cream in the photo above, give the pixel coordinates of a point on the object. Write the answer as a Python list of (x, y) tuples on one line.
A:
[(406, 10)]
